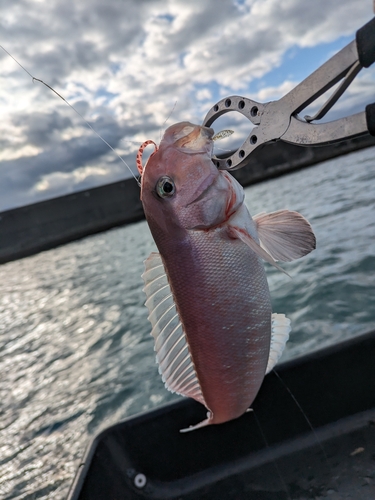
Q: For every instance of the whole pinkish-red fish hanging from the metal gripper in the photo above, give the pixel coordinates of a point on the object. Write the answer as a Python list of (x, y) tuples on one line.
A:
[(209, 304)]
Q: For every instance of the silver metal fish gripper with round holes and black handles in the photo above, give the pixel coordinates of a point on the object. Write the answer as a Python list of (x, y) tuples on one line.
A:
[(280, 120)]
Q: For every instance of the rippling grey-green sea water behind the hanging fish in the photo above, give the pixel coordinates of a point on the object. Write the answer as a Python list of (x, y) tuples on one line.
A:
[(76, 353)]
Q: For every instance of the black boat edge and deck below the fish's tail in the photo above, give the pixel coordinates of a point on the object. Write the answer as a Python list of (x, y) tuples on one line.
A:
[(270, 453)]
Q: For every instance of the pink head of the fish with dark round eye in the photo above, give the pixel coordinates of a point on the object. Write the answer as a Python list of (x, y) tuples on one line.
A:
[(181, 186)]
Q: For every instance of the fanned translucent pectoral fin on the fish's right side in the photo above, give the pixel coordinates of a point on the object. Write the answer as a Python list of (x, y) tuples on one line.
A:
[(285, 235)]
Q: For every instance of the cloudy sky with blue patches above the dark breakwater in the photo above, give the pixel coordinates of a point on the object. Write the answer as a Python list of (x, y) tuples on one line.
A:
[(131, 68)]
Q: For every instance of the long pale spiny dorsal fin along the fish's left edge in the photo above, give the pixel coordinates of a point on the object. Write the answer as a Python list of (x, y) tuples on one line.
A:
[(172, 350)]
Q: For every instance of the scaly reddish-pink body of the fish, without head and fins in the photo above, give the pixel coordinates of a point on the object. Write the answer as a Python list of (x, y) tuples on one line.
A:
[(212, 290)]
